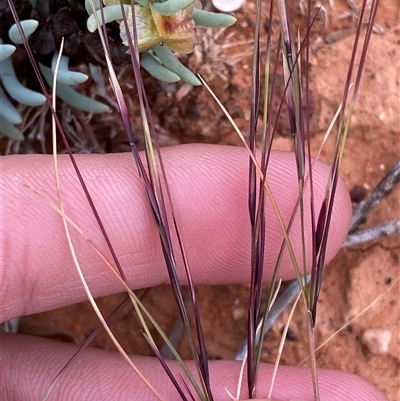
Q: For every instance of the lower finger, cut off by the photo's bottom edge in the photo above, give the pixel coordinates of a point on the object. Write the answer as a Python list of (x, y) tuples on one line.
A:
[(99, 374)]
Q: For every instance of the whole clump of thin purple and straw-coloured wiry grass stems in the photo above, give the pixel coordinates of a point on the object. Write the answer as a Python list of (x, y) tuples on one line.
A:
[(291, 52)]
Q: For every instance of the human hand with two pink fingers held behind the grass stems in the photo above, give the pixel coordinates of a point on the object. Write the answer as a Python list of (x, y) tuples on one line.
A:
[(209, 189)]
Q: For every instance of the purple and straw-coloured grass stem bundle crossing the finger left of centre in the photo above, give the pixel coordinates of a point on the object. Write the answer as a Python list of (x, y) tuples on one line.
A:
[(152, 181)]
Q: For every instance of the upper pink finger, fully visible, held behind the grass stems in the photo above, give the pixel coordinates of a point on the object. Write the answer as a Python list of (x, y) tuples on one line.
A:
[(209, 189)]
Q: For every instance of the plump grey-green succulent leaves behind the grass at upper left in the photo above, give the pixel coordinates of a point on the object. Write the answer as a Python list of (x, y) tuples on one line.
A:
[(159, 61)]
